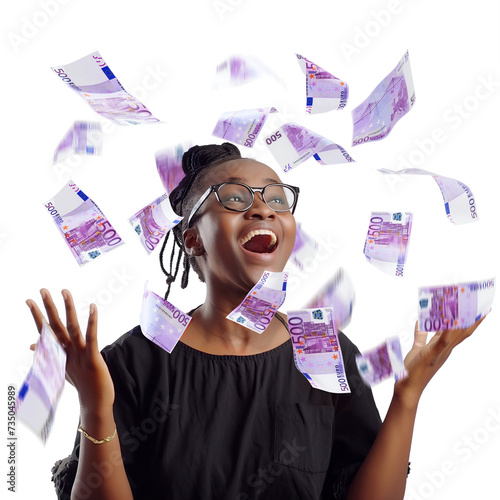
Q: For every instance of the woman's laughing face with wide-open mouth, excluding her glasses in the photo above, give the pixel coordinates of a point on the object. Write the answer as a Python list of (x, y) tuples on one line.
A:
[(238, 246)]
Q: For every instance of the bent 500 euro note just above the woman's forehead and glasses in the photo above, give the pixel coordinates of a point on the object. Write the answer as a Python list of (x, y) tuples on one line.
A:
[(293, 144)]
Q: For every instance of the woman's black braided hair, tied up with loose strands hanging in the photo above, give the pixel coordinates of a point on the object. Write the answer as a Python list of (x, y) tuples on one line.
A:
[(195, 164)]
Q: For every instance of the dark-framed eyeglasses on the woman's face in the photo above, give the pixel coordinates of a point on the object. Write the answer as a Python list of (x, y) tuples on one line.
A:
[(239, 197)]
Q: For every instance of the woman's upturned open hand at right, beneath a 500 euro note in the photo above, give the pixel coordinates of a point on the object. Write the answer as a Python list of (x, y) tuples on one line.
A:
[(424, 360)]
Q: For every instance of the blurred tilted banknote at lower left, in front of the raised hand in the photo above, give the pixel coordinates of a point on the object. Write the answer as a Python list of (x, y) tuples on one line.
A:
[(38, 397)]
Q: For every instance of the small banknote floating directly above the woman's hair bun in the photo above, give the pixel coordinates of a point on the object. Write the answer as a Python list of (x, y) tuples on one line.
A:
[(242, 127)]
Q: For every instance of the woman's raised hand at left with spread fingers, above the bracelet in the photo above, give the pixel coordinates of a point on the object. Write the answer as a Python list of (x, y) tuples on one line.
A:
[(85, 366)]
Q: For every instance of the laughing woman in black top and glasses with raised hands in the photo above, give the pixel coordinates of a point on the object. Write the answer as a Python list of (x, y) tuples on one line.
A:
[(227, 415)]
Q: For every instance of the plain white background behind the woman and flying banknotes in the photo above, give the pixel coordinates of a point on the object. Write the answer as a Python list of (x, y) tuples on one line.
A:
[(453, 48)]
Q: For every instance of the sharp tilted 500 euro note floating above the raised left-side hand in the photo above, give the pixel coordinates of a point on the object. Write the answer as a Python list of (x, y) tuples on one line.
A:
[(86, 230)]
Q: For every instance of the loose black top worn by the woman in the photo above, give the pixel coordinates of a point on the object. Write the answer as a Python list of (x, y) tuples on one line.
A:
[(197, 426)]
